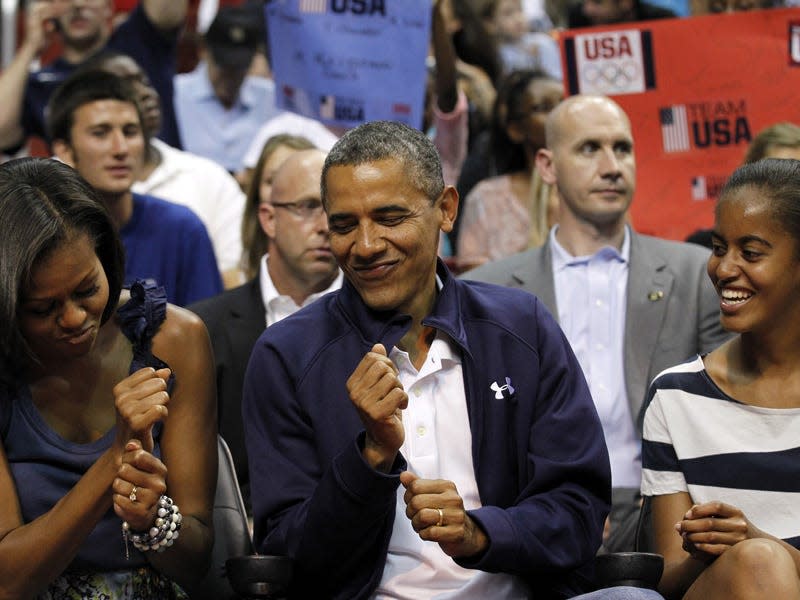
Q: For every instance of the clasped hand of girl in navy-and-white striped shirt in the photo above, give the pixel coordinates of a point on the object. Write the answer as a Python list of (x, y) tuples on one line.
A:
[(710, 529)]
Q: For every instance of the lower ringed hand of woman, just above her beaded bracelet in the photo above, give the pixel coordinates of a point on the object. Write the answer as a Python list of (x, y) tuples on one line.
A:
[(140, 482)]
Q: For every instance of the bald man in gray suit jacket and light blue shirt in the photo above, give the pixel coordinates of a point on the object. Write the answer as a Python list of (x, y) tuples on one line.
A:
[(630, 305)]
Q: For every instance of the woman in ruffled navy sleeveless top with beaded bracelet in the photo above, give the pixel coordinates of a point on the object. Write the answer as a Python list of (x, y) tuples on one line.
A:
[(107, 407)]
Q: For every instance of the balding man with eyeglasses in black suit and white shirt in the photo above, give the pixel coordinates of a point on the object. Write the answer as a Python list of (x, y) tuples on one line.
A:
[(297, 269)]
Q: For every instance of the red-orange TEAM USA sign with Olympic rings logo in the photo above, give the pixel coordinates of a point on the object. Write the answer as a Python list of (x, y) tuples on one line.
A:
[(697, 90)]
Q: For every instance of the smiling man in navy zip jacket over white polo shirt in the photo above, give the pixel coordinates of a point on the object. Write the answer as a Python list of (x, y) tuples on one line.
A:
[(414, 432)]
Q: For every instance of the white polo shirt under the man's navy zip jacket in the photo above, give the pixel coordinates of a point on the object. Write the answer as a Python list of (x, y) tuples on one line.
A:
[(438, 445)]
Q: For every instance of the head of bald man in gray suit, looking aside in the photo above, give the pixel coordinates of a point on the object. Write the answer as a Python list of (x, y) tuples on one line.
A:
[(591, 161)]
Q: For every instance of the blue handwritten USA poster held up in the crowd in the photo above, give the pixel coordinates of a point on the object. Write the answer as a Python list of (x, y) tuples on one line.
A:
[(345, 62)]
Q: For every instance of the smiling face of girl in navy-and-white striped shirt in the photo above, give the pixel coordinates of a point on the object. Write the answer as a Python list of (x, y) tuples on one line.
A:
[(754, 264)]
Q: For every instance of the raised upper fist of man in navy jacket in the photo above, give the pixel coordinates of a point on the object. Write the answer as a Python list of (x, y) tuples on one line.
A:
[(376, 392)]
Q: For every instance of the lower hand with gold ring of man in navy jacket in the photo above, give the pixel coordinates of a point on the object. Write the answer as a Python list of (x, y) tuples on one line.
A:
[(437, 514)]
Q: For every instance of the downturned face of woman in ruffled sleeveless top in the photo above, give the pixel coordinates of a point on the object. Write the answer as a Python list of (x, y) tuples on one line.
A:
[(60, 312)]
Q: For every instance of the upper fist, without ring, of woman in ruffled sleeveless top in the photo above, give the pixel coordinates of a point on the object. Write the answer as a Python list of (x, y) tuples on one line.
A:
[(141, 401)]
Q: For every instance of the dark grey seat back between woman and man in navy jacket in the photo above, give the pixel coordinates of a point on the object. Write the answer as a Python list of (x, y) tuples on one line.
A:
[(231, 531)]
